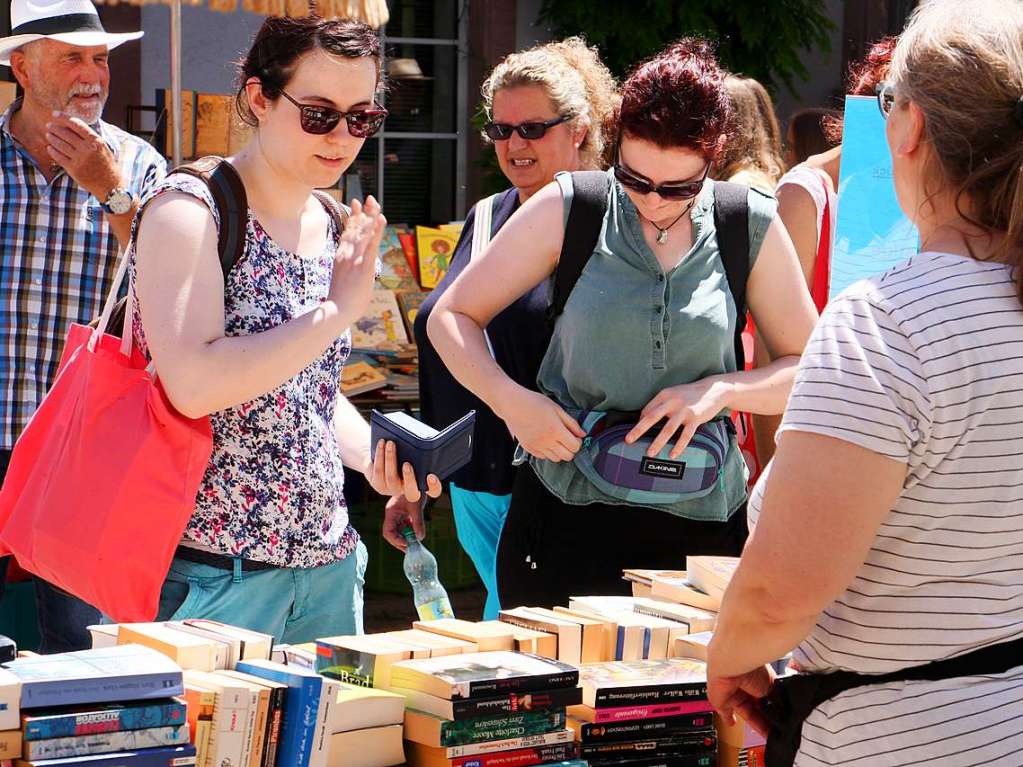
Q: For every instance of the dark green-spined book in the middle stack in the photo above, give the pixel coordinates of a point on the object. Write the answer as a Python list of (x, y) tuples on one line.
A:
[(431, 731)]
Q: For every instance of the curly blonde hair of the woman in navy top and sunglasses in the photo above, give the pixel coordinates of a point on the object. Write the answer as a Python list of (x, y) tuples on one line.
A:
[(576, 81)]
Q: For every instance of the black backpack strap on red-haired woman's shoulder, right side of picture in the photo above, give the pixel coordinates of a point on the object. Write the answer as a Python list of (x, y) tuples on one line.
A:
[(732, 215)]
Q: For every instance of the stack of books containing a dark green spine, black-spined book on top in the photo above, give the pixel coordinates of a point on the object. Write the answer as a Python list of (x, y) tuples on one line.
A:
[(500, 709)]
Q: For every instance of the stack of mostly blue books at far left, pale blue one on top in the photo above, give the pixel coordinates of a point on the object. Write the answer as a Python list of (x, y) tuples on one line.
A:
[(114, 706)]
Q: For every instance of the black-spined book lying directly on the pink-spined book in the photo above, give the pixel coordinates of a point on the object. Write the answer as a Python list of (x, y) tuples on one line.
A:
[(643, 683)]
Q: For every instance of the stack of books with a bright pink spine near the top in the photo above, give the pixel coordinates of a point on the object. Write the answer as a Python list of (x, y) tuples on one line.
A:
[(644, 713)]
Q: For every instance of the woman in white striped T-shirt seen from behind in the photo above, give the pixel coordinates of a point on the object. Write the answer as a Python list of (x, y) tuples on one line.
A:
[(899, 562)]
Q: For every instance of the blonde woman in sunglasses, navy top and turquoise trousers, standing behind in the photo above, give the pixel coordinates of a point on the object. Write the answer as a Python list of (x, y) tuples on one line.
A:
[(547, 109)]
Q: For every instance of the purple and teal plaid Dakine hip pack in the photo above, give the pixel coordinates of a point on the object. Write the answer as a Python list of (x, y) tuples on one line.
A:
[(627, 473)]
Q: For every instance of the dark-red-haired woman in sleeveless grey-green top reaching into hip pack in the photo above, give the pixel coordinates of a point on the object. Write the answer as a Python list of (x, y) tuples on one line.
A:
[(649, 328)]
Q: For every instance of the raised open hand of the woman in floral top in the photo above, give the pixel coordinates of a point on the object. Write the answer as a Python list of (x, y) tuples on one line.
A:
[(355, 259)]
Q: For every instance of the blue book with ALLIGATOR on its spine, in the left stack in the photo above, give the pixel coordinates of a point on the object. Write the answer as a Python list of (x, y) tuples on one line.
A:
[(43, 725)]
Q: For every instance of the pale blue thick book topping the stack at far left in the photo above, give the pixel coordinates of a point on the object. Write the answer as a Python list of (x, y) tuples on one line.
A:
[(127, 672)]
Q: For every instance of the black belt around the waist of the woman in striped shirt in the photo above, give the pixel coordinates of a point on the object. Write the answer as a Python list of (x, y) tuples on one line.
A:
[(793, 699)]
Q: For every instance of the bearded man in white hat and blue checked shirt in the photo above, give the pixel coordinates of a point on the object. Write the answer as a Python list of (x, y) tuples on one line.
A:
[(70, 187)]
